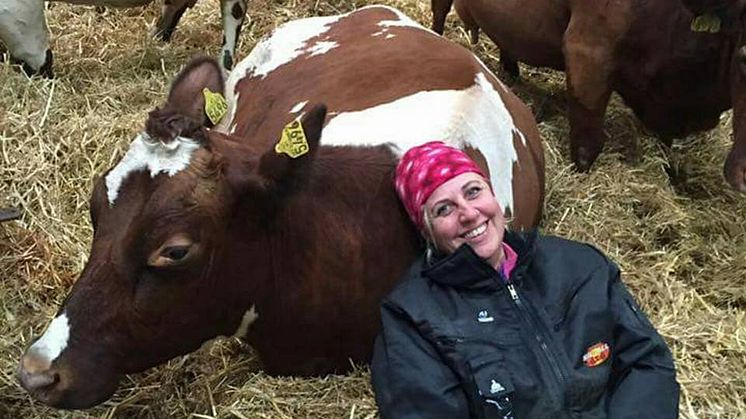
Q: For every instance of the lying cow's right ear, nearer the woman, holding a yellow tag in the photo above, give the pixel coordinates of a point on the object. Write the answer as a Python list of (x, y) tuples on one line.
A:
[(279, 168)]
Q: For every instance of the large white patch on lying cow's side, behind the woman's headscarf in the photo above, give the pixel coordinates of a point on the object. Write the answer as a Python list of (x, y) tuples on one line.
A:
[(475, 116)]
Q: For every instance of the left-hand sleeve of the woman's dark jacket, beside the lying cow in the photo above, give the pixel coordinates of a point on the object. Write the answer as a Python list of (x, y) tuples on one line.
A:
[(409, 378)]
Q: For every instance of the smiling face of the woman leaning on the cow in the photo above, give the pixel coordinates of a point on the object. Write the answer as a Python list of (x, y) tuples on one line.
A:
[(464, 210)]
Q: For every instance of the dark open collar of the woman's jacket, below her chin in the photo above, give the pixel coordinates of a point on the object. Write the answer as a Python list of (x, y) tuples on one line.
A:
[(464, 268)]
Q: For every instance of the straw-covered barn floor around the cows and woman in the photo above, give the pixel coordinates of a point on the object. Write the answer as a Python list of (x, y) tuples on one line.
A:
[(666, 216)]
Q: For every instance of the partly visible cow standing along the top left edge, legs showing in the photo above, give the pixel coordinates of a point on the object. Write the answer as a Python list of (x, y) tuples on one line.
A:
[(23, 28)]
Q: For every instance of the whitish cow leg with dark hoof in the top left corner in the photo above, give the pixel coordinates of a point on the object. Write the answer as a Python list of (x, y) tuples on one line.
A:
[(23, 29)]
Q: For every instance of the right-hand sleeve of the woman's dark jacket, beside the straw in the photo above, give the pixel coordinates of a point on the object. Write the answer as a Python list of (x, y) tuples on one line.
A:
[(643, 382)]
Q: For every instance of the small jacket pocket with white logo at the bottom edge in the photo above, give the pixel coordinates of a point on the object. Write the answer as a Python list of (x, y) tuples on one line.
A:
[(494, 388)]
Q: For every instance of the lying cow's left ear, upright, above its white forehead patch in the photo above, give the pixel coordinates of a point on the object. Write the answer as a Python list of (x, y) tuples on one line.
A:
[(186, 96)]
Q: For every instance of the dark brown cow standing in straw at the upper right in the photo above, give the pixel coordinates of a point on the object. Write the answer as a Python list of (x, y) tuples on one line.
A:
[(676, 80)]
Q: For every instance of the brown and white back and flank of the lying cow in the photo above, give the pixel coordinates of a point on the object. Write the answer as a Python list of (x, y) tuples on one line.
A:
[(387, 80)]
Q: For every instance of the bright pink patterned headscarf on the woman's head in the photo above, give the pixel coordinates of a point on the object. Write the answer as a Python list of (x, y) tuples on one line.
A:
[(422, 169)]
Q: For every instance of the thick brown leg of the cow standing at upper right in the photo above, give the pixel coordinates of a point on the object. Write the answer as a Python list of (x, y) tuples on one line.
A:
[(588, 47)]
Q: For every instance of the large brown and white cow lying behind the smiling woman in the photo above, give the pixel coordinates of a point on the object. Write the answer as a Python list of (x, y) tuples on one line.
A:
[(205, 232)]
